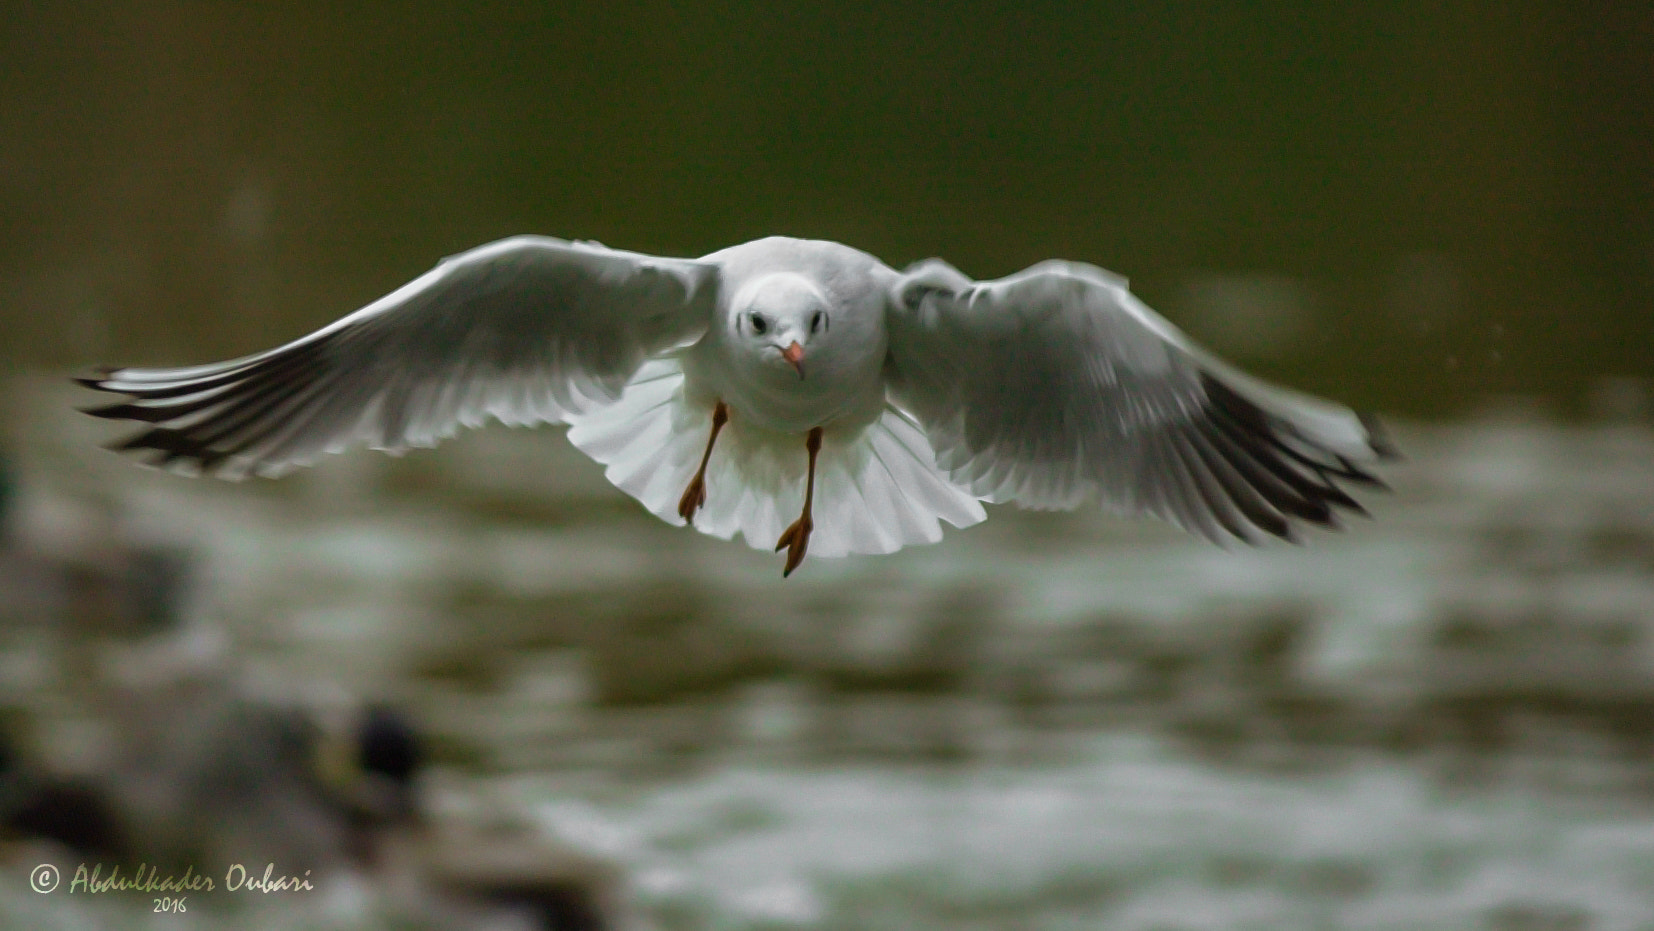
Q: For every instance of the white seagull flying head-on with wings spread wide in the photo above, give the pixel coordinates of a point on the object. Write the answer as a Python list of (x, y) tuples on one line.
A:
[(785, 378)]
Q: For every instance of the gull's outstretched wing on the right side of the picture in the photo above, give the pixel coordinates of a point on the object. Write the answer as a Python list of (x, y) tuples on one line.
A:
[(1058, 386)]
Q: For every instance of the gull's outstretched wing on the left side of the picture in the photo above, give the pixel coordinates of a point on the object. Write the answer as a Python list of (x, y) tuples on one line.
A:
[(523, 330)]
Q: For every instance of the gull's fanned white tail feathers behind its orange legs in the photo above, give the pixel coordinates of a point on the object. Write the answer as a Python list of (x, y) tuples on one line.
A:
[(877, 490)]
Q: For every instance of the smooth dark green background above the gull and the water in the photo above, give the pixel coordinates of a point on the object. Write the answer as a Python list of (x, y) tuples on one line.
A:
[(1465, 191)]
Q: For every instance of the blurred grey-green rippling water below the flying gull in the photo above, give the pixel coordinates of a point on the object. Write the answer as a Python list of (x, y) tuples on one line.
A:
[(1441, 719)]
